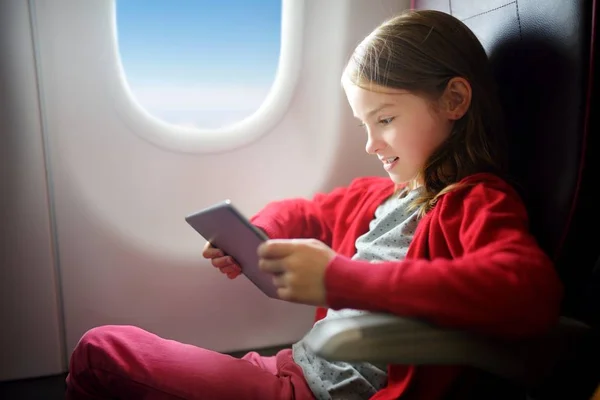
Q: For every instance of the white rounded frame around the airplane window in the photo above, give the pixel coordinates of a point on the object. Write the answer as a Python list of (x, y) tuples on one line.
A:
[(195, 140)]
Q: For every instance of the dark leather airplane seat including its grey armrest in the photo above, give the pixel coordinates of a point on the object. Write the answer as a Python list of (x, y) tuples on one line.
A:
[(543, 56)]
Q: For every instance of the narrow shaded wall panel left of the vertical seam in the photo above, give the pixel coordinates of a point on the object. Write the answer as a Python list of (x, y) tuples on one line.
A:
[(30, 321)]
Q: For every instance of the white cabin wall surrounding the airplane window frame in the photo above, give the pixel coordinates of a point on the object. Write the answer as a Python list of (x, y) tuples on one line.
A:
[(125, 254)]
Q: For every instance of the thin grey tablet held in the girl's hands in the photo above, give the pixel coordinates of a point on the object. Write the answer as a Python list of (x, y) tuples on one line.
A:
[(227, 229)]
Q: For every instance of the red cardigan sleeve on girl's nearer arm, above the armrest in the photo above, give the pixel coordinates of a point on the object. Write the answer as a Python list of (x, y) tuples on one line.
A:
[(498, 281)]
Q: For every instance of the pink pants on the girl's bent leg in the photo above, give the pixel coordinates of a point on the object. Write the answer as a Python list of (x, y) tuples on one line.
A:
[(125, 362)]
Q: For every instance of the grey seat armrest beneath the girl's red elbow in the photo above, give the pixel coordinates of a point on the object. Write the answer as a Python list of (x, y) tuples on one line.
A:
[(383, 338)]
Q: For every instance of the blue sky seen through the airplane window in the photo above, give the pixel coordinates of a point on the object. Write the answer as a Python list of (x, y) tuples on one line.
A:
[(205, 63)]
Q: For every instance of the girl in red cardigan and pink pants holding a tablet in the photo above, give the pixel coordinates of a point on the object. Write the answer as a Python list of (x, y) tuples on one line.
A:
[(445, 239)]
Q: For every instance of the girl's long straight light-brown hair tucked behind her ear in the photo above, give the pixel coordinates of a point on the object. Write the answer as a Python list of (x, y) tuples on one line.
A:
[(421, 51)]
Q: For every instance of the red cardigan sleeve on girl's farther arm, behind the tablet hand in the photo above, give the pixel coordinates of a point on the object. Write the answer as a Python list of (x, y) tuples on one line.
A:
[(301, 218)]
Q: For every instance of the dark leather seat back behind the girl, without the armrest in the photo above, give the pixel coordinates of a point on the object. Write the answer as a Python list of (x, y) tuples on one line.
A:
[(543, 56)]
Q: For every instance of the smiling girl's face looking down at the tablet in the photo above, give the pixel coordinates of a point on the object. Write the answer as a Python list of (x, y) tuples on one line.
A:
[(403, 129)]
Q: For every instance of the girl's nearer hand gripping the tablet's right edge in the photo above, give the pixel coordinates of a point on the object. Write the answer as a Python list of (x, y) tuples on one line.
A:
[(298, 266)]
